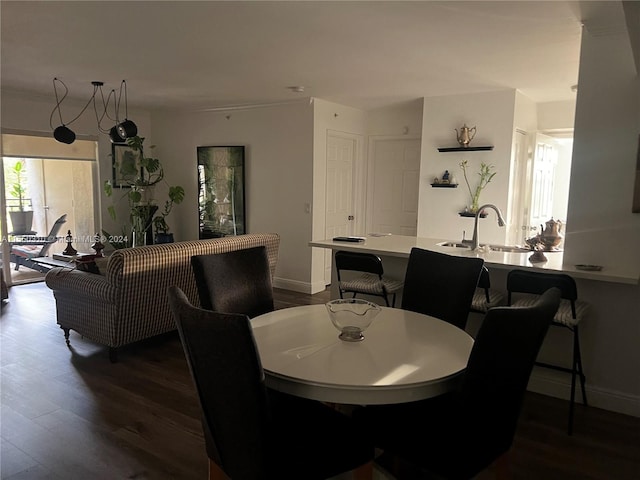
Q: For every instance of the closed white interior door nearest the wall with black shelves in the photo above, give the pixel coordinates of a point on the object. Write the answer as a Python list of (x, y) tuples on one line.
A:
[(394, 184)]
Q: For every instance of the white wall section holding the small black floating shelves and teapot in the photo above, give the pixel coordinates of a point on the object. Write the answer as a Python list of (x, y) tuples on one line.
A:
[(492, 114)]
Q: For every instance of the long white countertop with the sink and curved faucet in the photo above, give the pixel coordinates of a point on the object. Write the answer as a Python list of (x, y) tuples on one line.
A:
[(401, 245)]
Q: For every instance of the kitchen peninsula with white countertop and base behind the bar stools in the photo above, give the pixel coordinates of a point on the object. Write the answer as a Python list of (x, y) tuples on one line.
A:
[(609, 336)]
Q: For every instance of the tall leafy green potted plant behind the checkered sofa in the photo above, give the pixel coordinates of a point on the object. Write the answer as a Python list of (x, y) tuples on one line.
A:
[(142, 174)]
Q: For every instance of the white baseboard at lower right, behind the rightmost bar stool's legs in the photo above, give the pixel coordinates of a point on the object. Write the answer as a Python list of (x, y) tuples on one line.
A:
[(547, 383)]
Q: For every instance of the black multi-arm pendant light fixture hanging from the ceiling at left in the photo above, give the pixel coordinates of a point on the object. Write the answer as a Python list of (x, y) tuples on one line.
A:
[(118, 133)]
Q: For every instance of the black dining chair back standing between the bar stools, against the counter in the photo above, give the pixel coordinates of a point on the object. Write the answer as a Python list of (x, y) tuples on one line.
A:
[(441, 285)]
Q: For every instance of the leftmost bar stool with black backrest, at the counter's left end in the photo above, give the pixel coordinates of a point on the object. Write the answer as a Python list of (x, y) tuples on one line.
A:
[(371, 280)]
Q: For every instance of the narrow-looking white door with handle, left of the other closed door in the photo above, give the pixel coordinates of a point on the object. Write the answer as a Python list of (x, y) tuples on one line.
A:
[(339, 213)]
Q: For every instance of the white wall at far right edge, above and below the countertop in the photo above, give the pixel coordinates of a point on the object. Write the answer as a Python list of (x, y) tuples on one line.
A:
[(600, 226)]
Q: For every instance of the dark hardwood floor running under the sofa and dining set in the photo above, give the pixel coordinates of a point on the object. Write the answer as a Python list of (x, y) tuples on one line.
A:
[(71, 414)]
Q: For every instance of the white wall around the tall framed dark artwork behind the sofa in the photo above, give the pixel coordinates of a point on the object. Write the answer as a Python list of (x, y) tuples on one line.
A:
[(278, 144)]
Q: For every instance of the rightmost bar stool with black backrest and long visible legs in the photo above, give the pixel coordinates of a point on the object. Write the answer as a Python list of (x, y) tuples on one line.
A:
[(569, 315)]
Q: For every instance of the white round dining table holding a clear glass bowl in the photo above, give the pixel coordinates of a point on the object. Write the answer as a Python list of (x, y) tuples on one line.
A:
[(404, 357)]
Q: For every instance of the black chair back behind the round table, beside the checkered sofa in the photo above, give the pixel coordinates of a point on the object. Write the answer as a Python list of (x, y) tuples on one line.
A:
[(235, 282)]
